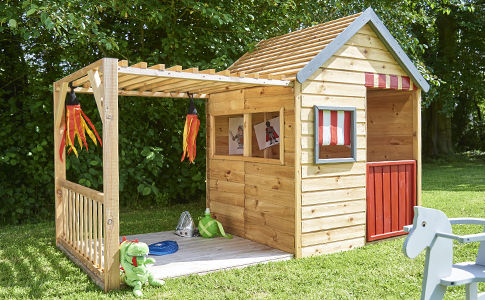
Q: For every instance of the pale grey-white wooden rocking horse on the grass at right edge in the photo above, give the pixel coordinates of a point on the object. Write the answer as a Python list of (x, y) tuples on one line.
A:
[(431, 229)]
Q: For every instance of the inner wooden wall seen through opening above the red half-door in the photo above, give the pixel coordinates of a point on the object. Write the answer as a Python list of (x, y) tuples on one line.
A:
[(390, 130)]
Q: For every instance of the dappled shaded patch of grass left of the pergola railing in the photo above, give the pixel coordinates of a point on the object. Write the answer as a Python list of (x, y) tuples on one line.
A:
[(33, 267)]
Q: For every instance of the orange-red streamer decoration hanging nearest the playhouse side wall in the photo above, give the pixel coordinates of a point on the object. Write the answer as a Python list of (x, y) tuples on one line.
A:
[(191, 129)]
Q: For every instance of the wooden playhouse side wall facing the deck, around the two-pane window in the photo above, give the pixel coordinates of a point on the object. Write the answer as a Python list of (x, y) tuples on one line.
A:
[(254, 200)]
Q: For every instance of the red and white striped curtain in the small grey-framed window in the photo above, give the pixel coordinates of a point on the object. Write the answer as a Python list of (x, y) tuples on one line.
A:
[(334, 127)]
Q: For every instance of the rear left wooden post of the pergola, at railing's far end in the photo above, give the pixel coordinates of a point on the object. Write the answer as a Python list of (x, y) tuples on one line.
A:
[(59, 166)]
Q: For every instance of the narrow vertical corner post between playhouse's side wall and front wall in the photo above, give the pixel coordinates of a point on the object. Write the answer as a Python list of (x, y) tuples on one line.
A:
[(298, 96)]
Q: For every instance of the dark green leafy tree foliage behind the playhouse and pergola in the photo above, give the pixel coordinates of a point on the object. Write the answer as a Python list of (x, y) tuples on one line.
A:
[(42, 41)]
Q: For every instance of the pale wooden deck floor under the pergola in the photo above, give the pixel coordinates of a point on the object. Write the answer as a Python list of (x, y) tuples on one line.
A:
[(198, 255)]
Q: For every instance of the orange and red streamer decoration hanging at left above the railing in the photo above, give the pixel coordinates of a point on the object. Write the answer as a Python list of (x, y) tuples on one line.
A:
[(76, 125)]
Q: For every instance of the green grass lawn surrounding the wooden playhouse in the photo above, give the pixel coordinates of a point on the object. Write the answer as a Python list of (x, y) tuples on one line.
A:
[(32, 267)]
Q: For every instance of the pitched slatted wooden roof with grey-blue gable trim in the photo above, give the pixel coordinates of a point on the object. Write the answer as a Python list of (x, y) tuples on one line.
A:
[(300, 53)]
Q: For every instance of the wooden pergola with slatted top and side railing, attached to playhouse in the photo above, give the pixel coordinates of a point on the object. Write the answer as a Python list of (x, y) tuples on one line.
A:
[(87, 221)]
